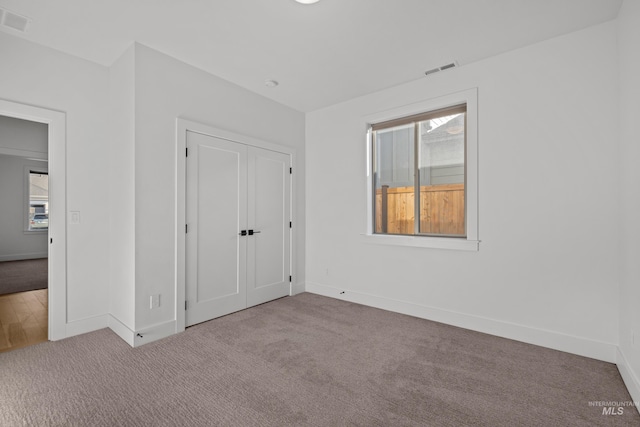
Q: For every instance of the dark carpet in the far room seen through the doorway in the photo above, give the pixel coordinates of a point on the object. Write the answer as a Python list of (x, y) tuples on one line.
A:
[(24, 275)]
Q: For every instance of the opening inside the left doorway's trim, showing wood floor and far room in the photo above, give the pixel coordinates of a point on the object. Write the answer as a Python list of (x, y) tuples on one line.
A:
[(24, 225)]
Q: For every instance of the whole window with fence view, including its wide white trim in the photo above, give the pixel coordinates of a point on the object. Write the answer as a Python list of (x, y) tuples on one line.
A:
[(423, 174)]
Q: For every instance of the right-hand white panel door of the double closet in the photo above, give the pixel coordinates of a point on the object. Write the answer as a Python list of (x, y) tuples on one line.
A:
[(268, 249)]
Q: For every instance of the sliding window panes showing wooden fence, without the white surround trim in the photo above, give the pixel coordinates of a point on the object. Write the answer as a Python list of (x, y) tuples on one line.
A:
[(419, 172)]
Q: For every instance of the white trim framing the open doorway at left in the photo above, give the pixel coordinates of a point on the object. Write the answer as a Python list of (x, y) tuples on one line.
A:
[(57, 234)]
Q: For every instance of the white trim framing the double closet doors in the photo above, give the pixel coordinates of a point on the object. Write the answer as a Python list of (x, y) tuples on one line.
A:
[(182, 126)]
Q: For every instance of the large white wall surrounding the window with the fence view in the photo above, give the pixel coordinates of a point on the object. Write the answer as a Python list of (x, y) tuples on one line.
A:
[(546, 271)]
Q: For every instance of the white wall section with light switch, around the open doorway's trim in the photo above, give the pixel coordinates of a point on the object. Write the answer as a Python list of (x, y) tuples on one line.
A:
[(39, 76)]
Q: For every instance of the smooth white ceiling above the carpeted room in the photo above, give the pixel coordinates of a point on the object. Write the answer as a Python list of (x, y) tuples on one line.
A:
[(321, 54)]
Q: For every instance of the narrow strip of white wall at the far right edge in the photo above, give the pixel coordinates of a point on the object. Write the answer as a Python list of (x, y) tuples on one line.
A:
[(629, 40)]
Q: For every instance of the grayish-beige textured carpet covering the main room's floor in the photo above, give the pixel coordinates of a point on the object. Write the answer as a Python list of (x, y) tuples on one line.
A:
[(307, 361)]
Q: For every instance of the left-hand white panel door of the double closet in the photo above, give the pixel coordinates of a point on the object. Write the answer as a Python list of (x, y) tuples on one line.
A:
[(216, 213)]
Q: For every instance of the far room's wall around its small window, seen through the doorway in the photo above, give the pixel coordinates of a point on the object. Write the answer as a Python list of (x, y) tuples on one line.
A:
[(15, 243)]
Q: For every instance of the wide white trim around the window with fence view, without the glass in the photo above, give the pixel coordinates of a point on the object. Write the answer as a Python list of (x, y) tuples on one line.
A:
[(468, 243)]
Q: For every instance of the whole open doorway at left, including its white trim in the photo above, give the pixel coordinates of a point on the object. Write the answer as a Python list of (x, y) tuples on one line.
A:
[(33, 228)]
